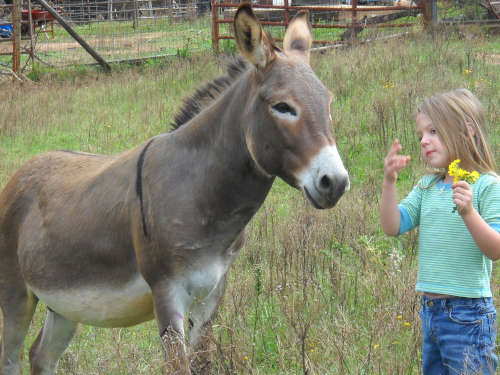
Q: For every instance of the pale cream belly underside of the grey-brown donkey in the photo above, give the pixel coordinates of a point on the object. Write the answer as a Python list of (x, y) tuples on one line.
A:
[(101, 306)]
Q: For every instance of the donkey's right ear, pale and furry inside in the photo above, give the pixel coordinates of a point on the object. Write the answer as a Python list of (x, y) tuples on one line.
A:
[(298, 36)]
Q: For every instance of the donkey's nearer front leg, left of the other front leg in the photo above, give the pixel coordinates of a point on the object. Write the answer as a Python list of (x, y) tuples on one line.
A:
[(170, 306)]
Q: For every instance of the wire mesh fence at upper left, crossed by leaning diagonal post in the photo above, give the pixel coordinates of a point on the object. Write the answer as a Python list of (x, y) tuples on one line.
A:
[(116, 30)]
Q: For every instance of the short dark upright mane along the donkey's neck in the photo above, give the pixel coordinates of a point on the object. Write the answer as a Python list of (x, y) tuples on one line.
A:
[(206, 95)]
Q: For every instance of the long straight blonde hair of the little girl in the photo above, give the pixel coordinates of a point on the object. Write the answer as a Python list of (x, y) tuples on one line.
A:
[(459, 119)]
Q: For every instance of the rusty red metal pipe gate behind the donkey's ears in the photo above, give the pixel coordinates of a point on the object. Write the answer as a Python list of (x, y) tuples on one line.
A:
[(332, 22)]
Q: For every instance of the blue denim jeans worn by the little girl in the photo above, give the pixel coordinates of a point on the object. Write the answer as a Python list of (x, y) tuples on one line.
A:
[(459, 336)]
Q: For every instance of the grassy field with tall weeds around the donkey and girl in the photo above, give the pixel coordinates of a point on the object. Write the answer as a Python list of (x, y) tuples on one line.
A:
[(316, 292)]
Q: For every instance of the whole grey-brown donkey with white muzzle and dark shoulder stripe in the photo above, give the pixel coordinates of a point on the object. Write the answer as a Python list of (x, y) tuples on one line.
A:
[(114, 241)]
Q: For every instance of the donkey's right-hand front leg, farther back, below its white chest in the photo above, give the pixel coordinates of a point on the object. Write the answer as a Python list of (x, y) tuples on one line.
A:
[(201, 316)]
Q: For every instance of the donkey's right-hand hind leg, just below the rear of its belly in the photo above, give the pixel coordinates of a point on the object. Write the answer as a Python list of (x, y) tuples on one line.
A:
[(54, 338)]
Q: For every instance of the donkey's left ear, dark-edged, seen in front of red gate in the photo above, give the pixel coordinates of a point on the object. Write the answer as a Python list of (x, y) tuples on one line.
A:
[(251, 41)]
